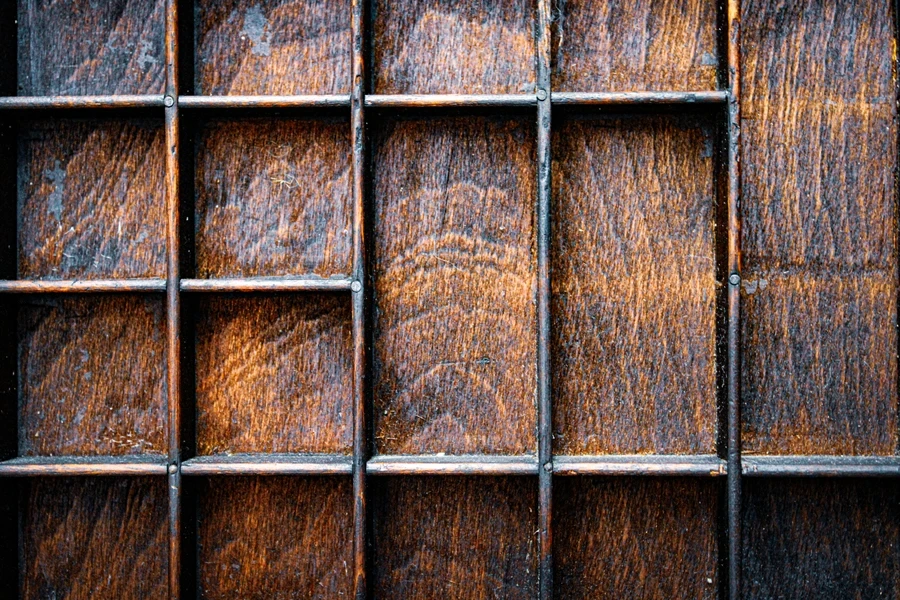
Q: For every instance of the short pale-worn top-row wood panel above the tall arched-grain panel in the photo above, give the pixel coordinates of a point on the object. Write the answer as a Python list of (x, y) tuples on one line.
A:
[(455, 47)]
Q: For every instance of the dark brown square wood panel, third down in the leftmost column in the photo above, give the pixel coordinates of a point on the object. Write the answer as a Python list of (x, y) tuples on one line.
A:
[(92, 375)]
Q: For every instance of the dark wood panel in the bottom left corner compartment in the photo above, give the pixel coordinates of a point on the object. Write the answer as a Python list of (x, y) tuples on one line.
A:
[(94, 538)]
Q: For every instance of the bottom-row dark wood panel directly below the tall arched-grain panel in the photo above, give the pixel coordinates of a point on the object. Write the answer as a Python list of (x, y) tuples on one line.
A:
[(460, 537)]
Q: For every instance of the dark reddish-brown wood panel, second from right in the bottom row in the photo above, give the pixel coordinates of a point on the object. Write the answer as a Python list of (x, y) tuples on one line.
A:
[(635, 538)]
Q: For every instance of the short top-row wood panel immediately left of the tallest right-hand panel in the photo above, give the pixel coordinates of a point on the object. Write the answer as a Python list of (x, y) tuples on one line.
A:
[(642, 45)]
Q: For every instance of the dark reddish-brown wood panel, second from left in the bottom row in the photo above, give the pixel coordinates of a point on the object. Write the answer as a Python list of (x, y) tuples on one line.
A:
[(275, 538)]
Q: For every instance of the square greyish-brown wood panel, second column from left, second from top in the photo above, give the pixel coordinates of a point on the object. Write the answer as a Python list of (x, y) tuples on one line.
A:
[(273, 198)]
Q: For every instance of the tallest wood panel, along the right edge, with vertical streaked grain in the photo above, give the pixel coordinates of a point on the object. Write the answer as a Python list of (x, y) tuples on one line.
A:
[(820, 228)]
